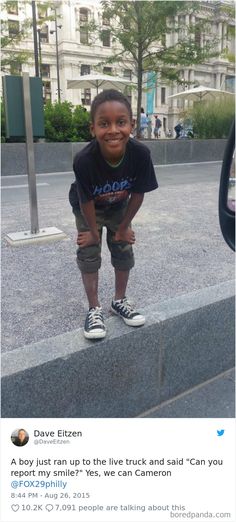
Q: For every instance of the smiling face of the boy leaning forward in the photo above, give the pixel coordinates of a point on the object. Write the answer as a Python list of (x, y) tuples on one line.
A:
[(112, 127)]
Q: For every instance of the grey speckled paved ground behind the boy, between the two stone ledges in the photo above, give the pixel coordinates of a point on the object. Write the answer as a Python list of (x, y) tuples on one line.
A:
[(179, 248)]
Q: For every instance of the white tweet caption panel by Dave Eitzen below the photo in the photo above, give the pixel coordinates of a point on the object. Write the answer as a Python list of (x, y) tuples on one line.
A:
[(121, 470)]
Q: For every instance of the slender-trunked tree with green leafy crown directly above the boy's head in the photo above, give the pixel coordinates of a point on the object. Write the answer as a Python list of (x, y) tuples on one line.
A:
[(139, 28)]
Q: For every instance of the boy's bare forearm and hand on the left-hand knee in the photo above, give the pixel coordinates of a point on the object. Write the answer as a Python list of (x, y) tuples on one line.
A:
[(92, 236)]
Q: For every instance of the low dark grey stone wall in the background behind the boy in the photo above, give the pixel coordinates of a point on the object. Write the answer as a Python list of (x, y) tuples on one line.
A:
[(58, 157)]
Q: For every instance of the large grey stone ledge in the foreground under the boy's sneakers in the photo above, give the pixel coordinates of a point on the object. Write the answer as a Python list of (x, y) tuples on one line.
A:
[(185, 341)]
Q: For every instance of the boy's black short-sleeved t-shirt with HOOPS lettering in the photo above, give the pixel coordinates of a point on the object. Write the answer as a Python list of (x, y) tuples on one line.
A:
[(97, 180)]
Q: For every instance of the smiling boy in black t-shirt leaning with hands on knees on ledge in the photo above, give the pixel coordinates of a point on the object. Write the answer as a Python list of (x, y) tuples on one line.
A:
[(112, 174)]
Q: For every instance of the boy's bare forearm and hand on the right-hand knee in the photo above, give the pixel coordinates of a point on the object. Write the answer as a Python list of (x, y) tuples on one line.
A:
[(124, 232)]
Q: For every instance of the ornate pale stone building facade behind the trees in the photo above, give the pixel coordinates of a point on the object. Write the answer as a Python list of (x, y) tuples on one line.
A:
[(66, 50)]
